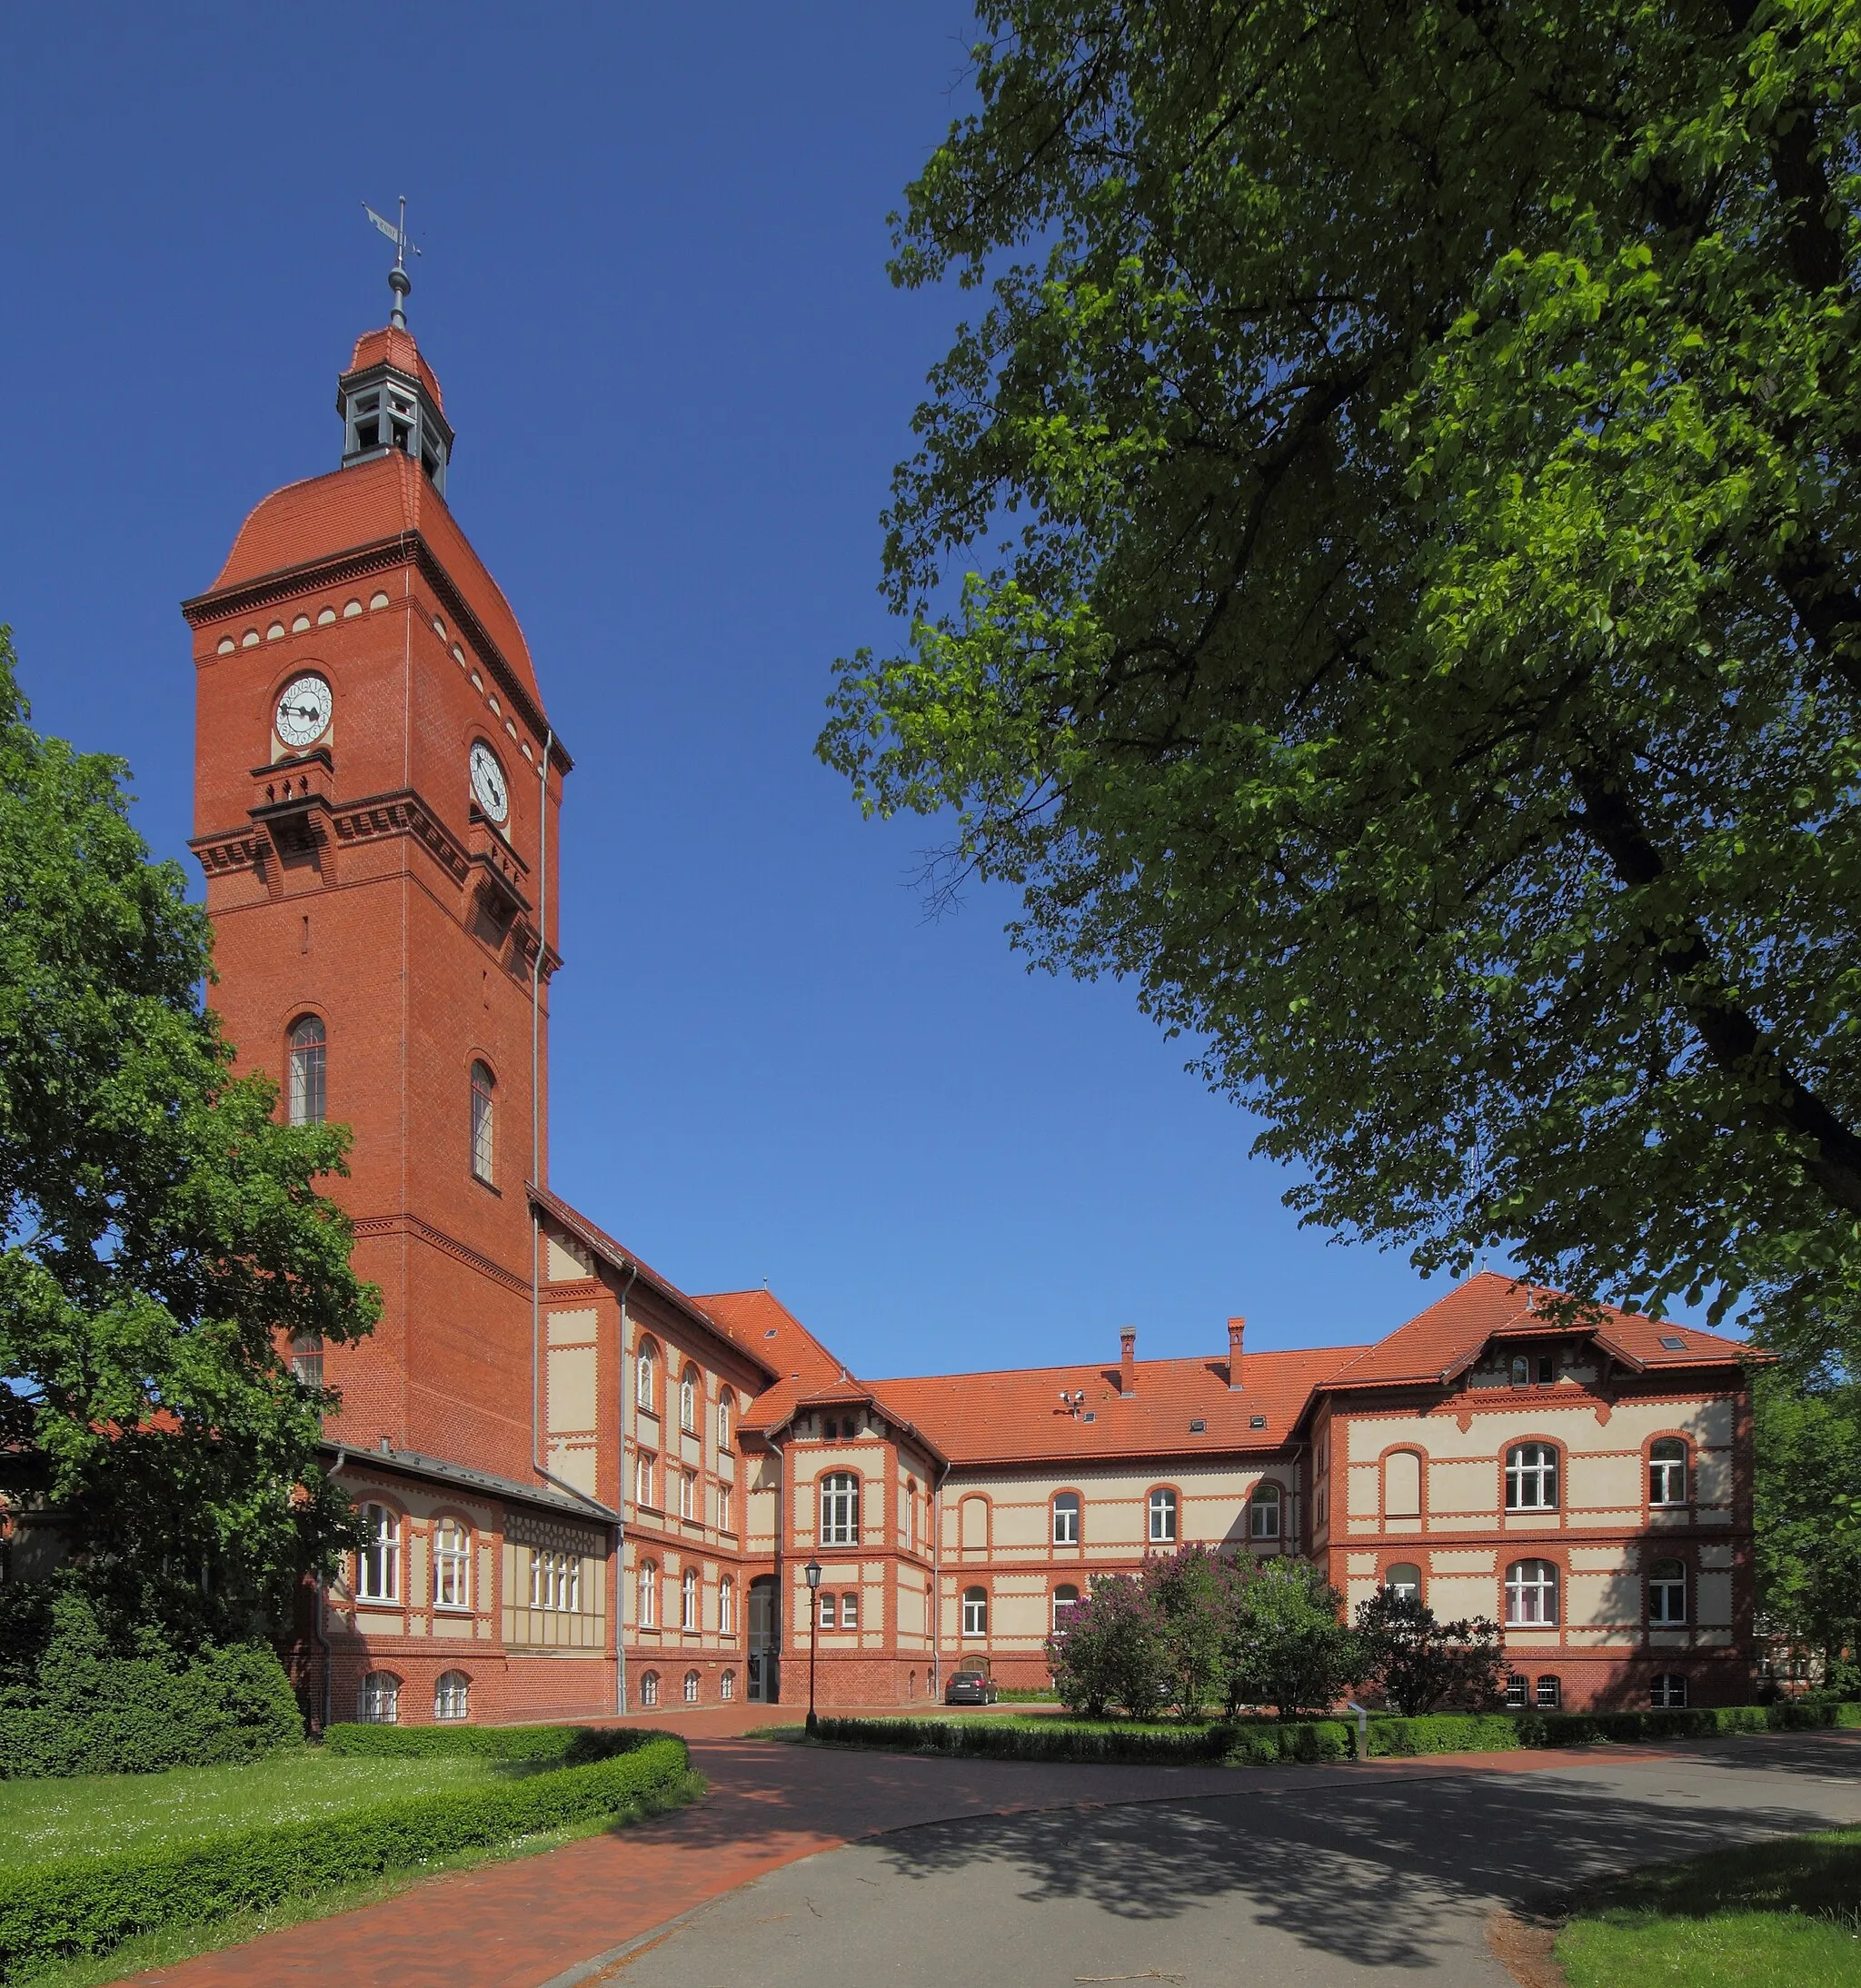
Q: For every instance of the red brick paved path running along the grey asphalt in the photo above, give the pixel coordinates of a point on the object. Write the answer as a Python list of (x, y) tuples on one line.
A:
[(568, 1915)]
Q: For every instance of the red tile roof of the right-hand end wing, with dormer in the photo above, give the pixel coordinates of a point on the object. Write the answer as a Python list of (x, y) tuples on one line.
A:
[(1440, 1343)]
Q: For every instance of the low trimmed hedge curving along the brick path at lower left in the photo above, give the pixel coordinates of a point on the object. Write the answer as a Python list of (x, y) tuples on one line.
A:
[(88, 1905)]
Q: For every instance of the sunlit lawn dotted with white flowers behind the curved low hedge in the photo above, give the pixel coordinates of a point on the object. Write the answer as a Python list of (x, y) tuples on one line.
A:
[(118, 1812)]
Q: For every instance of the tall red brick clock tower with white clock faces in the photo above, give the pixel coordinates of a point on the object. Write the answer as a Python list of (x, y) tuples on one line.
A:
[(377, 798)]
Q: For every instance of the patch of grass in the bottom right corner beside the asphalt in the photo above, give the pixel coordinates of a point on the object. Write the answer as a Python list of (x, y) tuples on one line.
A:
[(1769, 1915)]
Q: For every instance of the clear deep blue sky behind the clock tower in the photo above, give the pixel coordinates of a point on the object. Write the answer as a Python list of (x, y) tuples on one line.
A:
[(653, 289)]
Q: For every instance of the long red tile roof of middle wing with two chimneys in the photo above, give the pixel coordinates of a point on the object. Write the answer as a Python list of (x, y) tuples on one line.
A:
[(1017, 1416)]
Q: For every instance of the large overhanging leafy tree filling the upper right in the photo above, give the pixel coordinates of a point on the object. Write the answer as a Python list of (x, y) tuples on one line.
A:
[(1409, 482)]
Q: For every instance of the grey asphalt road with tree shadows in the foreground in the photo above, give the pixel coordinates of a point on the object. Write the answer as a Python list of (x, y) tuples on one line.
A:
[(1301, 1888)]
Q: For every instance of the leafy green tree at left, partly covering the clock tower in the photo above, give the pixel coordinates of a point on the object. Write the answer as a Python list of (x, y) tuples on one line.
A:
[(162, 1232)]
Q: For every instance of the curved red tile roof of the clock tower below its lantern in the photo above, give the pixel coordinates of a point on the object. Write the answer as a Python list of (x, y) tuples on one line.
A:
[(383, 500)]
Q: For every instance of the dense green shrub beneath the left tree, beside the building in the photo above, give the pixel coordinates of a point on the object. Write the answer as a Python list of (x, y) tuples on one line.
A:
[(83, 1707)]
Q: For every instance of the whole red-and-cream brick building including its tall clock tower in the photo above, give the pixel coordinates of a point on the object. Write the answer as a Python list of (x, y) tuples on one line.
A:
[(593, 1492)]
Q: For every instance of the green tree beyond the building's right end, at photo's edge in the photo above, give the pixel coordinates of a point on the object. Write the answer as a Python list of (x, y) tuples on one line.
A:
[(1808, 1526)]
